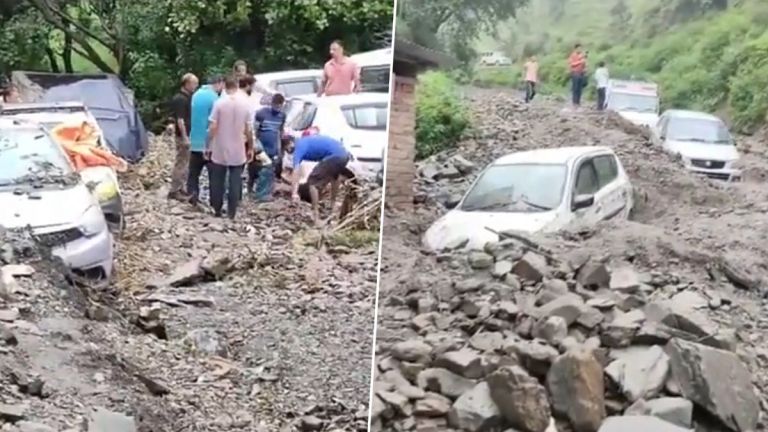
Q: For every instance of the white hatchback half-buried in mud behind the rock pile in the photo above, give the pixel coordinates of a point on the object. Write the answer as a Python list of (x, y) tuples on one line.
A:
[(541, 190)]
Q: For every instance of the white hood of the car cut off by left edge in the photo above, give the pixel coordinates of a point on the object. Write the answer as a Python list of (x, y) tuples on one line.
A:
[(54, 207)]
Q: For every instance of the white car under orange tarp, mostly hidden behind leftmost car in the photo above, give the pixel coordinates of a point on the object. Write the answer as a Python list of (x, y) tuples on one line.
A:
[(102, 181)]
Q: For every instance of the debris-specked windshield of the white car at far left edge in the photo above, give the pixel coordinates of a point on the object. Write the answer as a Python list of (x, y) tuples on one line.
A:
[(29, 156)]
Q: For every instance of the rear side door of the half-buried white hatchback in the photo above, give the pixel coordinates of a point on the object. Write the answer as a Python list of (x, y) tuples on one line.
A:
[(612, 197)]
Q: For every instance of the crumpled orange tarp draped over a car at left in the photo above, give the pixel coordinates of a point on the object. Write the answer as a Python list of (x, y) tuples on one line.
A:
[(80, 141)]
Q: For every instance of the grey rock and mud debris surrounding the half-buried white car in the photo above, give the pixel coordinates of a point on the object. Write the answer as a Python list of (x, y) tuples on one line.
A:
[(457, 332)]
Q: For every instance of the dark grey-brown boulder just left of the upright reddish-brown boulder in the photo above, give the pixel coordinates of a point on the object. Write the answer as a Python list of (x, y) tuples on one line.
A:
[(520, 398)]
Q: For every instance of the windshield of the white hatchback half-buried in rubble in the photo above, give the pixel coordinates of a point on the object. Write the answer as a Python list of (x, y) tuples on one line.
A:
[(517, 188)]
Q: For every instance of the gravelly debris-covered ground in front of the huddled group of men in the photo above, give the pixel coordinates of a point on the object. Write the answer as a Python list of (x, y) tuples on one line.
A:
[(210, 325)]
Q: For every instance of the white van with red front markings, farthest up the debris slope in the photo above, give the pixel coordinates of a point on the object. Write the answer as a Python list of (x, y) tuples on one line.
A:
[(635, 101)]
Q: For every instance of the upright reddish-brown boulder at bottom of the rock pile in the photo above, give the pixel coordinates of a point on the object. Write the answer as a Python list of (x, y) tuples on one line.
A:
[(575, 383)]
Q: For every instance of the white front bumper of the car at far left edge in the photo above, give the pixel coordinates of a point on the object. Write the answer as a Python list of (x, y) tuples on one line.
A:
[(89, 255)]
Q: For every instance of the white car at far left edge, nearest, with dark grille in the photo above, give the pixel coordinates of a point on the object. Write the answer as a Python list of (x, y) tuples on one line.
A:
[(39, 189)]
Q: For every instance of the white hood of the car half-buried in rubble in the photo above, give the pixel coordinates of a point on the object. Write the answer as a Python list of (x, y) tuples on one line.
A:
[(458, 227)]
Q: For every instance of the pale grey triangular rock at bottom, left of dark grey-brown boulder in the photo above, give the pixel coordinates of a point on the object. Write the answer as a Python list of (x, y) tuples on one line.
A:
[(475, 411)]
